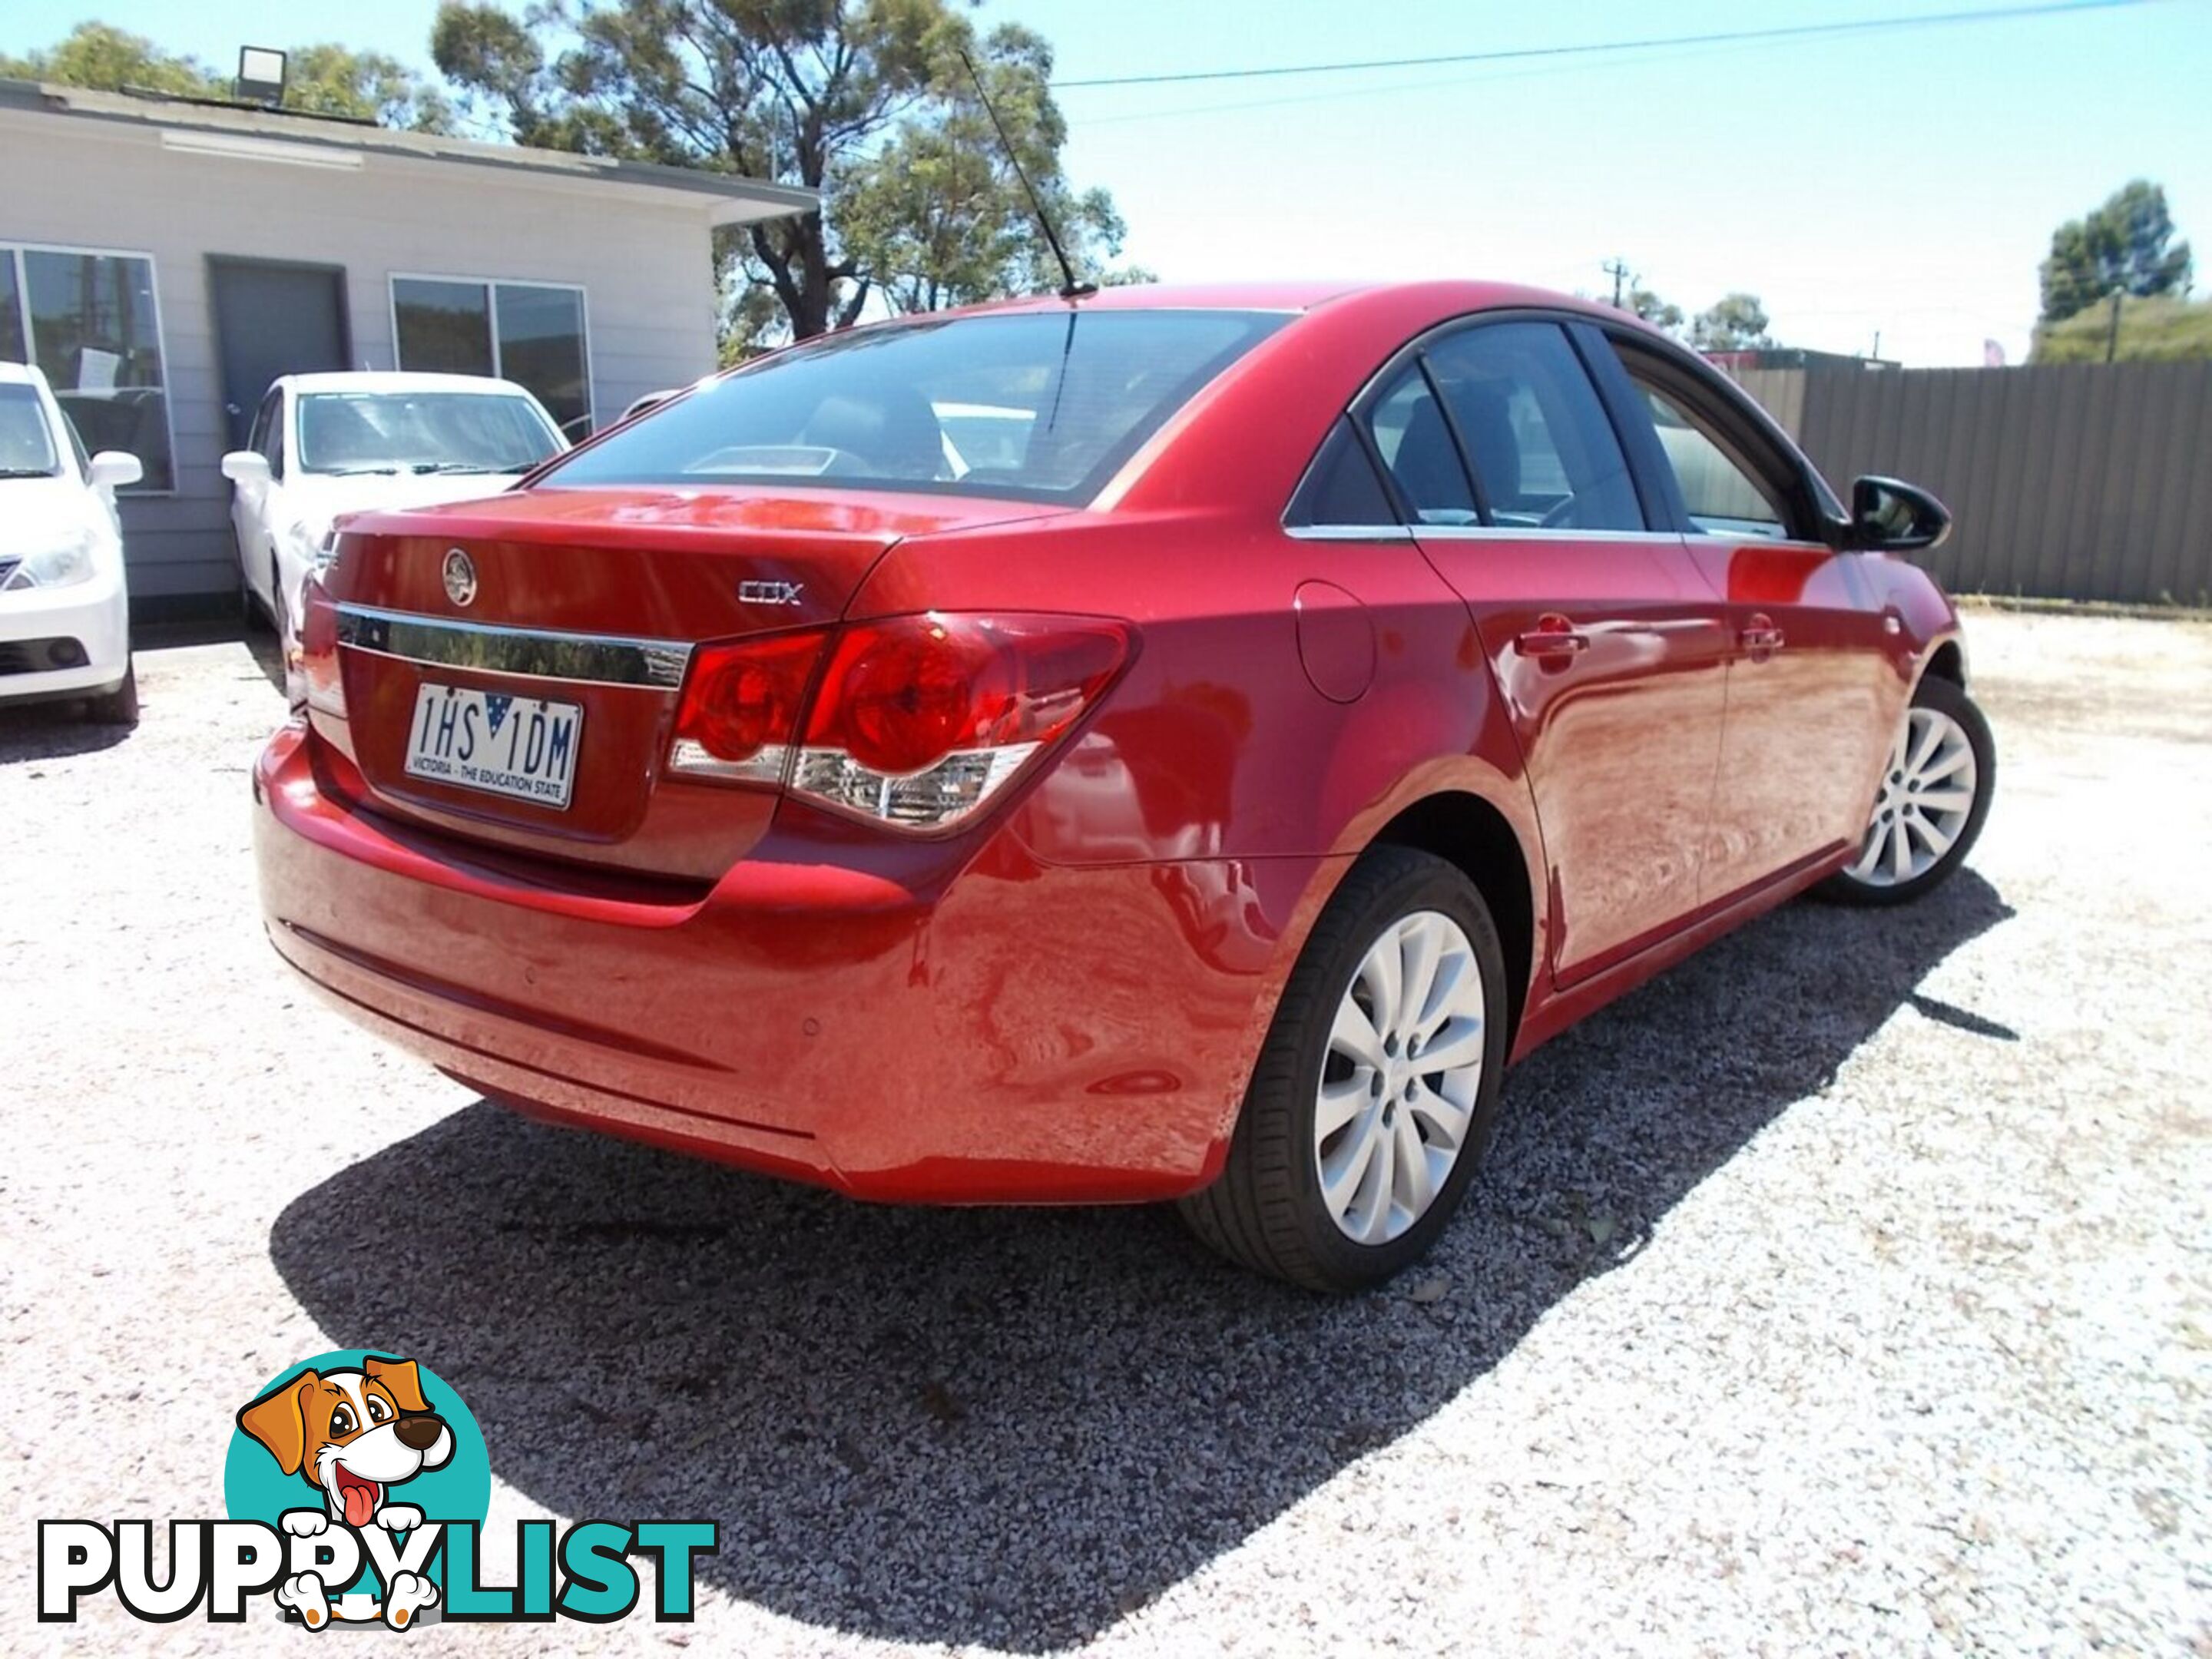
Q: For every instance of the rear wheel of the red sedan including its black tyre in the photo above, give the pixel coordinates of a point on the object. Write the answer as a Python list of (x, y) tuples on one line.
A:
[(1271, 1211)]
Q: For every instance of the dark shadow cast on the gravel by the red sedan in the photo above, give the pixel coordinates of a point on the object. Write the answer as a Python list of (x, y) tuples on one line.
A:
[(1016, 1428)]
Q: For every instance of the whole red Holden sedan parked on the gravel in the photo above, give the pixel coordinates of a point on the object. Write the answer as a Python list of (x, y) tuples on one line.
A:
[(1151, 747)]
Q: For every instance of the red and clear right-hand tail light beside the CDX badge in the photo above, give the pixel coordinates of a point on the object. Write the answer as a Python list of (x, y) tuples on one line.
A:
[(912, 722)]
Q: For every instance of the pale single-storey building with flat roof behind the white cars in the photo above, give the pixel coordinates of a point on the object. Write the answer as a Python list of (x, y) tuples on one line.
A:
[(165, 260)]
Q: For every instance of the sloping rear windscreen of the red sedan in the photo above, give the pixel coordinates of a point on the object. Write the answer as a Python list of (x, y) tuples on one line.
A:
[(1034, 406)]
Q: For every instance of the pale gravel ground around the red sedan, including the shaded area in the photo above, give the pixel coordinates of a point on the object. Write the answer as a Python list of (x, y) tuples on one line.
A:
[(1846, 1291)]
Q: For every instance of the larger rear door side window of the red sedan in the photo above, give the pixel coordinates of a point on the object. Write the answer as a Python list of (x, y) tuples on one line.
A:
[(1534, 428)]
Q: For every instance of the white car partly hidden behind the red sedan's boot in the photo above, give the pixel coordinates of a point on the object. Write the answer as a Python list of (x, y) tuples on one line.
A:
[(346, 444)]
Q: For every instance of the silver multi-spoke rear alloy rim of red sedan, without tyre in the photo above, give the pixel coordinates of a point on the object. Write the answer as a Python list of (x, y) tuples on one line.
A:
[(1401, 1078)]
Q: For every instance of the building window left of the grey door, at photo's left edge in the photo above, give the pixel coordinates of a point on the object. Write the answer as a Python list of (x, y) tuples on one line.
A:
[(90, 322)]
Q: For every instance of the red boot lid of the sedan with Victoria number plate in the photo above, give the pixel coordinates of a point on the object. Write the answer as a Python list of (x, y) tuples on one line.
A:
[(574, 614)]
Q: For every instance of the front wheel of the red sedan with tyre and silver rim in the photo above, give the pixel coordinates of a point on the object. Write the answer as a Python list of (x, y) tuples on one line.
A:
[(1961, 744)]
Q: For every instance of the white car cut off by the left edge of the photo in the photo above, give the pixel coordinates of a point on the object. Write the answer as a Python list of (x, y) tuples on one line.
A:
[(65, 614)]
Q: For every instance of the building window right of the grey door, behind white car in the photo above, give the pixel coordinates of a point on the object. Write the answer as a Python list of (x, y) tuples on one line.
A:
[(525, 333)]
